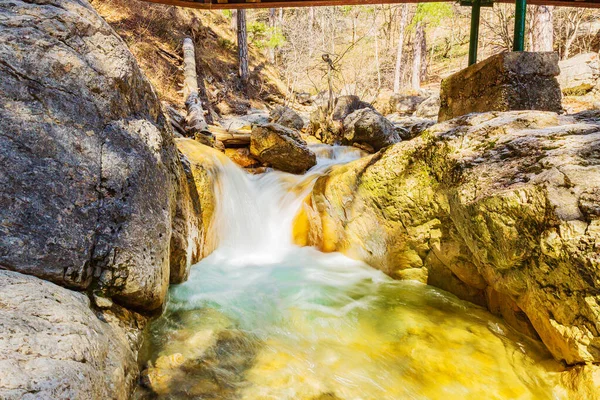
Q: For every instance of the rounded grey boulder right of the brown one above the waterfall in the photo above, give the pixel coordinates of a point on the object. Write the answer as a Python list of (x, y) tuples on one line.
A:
[(367, 126)]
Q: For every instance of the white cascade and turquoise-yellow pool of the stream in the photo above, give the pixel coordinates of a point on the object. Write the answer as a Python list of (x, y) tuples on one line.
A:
[(261, 318)]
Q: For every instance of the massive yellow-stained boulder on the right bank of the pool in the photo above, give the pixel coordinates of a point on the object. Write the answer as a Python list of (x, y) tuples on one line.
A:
[(502, 209)]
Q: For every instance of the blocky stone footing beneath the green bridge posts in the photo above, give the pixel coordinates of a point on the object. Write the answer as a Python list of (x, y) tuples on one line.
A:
[(504, 82)]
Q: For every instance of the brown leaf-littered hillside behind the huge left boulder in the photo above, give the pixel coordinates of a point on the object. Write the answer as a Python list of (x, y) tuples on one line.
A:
[(154, 34)]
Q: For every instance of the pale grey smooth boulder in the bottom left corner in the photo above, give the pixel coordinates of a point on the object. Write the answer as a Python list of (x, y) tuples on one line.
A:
[(61, 350)]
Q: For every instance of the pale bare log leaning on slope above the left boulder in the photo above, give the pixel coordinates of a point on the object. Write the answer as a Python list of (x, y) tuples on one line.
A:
[(194, 122)]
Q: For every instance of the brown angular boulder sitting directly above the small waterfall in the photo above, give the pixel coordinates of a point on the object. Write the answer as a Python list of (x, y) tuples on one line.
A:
[(282, 148)]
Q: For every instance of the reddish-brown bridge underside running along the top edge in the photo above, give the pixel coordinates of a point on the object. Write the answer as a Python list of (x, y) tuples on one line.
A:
[(235, 4)]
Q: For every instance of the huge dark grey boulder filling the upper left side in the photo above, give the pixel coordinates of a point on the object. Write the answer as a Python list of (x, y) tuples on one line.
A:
[(88, 169)]
